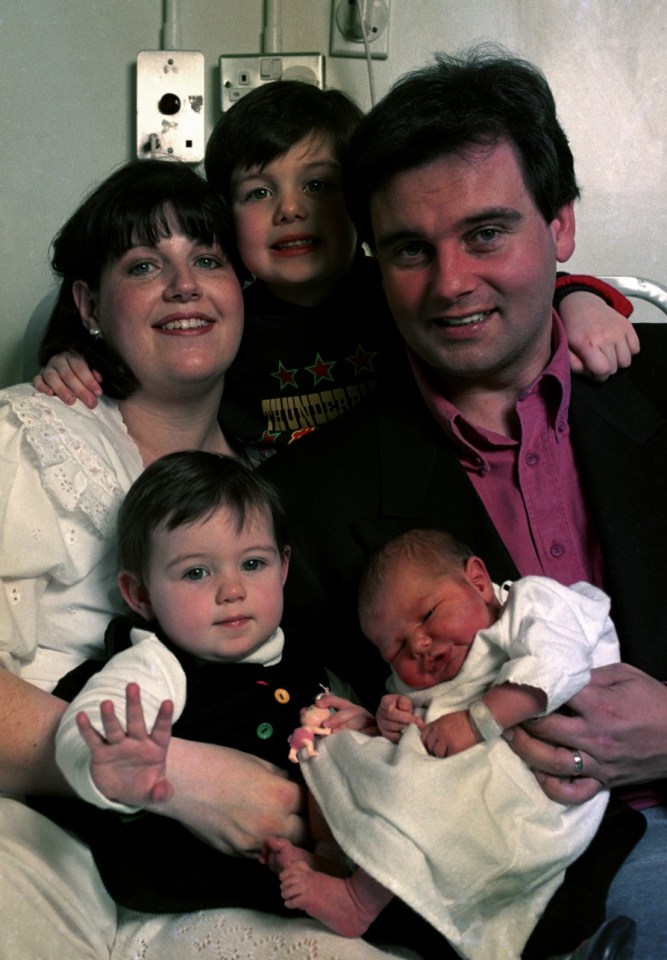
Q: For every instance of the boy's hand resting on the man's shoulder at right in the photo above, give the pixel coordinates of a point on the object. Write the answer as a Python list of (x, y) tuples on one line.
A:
[(600, 340)]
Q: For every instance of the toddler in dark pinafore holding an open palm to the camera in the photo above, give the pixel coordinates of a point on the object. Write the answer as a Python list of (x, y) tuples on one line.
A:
[(203, 558)]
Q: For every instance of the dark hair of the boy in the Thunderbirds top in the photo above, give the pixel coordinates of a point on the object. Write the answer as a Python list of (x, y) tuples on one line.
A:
[(268, 121)]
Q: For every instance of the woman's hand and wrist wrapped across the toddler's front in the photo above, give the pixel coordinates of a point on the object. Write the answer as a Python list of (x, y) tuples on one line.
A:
[(232, 800)]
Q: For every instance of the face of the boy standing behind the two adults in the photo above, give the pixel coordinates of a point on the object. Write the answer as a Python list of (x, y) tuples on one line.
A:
[(291, 225)]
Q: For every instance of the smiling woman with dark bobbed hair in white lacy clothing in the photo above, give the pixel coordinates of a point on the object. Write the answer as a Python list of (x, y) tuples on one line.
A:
[(150, 294)]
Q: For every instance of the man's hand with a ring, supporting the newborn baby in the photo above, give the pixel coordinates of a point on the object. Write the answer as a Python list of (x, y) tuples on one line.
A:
[(618, 729)]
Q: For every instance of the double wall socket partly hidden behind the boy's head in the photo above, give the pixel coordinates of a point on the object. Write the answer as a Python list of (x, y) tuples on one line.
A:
[(241, 73)]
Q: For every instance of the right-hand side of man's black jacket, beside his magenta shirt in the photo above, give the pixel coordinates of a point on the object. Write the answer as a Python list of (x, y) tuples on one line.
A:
[(620, 440)]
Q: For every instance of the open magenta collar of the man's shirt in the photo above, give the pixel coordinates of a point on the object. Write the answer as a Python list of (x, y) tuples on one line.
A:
[(472, 441)]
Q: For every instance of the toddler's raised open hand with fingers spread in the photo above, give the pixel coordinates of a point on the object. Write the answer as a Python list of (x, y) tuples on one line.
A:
[(129, 766)]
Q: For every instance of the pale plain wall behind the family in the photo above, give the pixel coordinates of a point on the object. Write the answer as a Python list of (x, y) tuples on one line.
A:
[(66, 76)]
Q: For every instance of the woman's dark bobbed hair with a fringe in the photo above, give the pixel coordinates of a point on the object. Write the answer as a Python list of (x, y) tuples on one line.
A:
[(134, 203)]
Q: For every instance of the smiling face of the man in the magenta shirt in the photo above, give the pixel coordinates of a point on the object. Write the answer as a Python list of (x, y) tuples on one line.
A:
[(468, 266)]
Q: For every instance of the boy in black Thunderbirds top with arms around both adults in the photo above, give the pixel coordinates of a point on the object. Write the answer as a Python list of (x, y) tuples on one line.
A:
[(318, 334)]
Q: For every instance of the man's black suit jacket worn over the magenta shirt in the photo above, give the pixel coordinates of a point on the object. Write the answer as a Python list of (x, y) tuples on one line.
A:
[(388, 466)]
